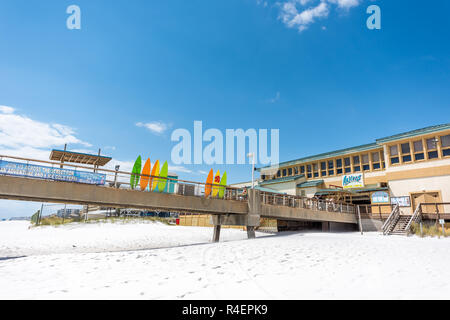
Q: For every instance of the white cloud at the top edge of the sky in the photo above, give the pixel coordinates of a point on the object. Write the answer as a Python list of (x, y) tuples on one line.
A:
[(301, 14)]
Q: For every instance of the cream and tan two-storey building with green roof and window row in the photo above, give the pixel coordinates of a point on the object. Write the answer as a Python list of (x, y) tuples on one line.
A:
[(406, 169)]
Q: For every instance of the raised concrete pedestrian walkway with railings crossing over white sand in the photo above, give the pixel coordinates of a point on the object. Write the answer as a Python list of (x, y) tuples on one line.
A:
[(234, 209)]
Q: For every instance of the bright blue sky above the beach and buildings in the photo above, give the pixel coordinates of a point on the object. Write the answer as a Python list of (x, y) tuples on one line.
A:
[(321, 77)]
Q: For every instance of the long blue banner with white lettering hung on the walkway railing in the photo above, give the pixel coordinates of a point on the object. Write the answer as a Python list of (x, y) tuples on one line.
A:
[(49, 173)]
